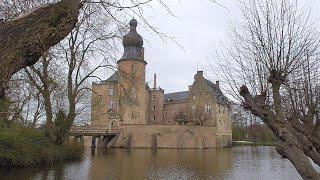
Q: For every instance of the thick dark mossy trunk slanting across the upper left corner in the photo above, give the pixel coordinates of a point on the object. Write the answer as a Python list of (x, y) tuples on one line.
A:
[(24, 39)]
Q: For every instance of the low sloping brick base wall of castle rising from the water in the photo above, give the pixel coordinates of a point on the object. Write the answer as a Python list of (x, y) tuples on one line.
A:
[(169, 136)]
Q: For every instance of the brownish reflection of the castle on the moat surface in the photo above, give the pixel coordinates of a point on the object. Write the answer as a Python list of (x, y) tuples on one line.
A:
[(160, 163)]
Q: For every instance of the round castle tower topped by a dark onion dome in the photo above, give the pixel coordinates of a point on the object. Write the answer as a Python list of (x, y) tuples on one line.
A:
[(132, 70)]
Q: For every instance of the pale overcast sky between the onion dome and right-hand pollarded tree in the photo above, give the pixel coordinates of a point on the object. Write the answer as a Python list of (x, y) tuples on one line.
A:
[(200, 27)]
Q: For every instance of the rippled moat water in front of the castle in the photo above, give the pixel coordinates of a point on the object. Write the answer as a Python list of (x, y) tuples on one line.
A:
[(237, 163)]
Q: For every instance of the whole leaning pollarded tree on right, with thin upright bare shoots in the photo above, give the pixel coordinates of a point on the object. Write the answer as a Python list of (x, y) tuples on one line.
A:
[(274, 57)]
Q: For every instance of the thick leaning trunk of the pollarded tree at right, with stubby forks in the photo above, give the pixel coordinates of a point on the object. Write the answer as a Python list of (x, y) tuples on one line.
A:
[(292, 144)]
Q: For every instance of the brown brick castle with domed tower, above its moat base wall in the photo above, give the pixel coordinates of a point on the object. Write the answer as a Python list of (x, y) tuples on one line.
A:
[(125, 100)]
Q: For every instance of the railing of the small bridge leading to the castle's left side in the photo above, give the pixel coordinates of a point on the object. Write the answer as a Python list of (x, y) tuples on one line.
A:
[(91, 130)]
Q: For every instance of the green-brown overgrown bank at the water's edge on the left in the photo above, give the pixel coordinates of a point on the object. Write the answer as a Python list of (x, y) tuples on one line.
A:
[(21, 147)]
